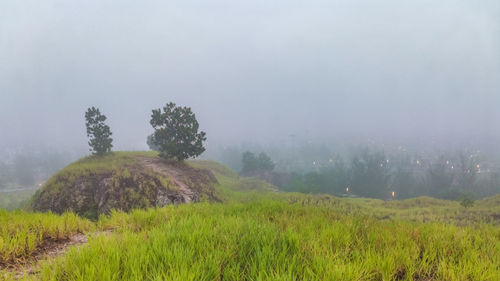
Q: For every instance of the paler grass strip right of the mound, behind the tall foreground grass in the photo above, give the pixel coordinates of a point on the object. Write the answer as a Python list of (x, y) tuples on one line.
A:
[(233, 188)]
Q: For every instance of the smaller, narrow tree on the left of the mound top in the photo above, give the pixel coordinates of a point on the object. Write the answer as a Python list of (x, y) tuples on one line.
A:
[(98, 132)]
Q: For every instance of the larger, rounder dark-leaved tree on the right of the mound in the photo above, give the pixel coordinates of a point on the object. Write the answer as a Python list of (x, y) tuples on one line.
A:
[(176, 132)]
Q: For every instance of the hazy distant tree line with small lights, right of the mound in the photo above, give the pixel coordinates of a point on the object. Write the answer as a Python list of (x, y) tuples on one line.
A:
[(370, 173)]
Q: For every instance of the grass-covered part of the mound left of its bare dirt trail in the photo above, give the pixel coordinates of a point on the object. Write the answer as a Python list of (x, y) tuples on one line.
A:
[(117, 178)]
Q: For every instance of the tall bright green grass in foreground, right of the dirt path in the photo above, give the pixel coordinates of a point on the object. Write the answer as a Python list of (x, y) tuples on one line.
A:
[(276, 240)]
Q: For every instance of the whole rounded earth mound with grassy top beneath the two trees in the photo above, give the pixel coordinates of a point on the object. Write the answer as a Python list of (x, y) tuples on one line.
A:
[(123, 181)]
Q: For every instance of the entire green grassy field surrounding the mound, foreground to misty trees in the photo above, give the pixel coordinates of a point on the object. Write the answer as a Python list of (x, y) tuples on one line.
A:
[(256, 233)]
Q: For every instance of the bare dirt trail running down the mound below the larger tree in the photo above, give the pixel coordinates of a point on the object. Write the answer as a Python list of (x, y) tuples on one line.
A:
[(174, 173)]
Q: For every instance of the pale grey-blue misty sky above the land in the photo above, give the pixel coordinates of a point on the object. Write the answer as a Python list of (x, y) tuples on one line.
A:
[(251, 70)]
